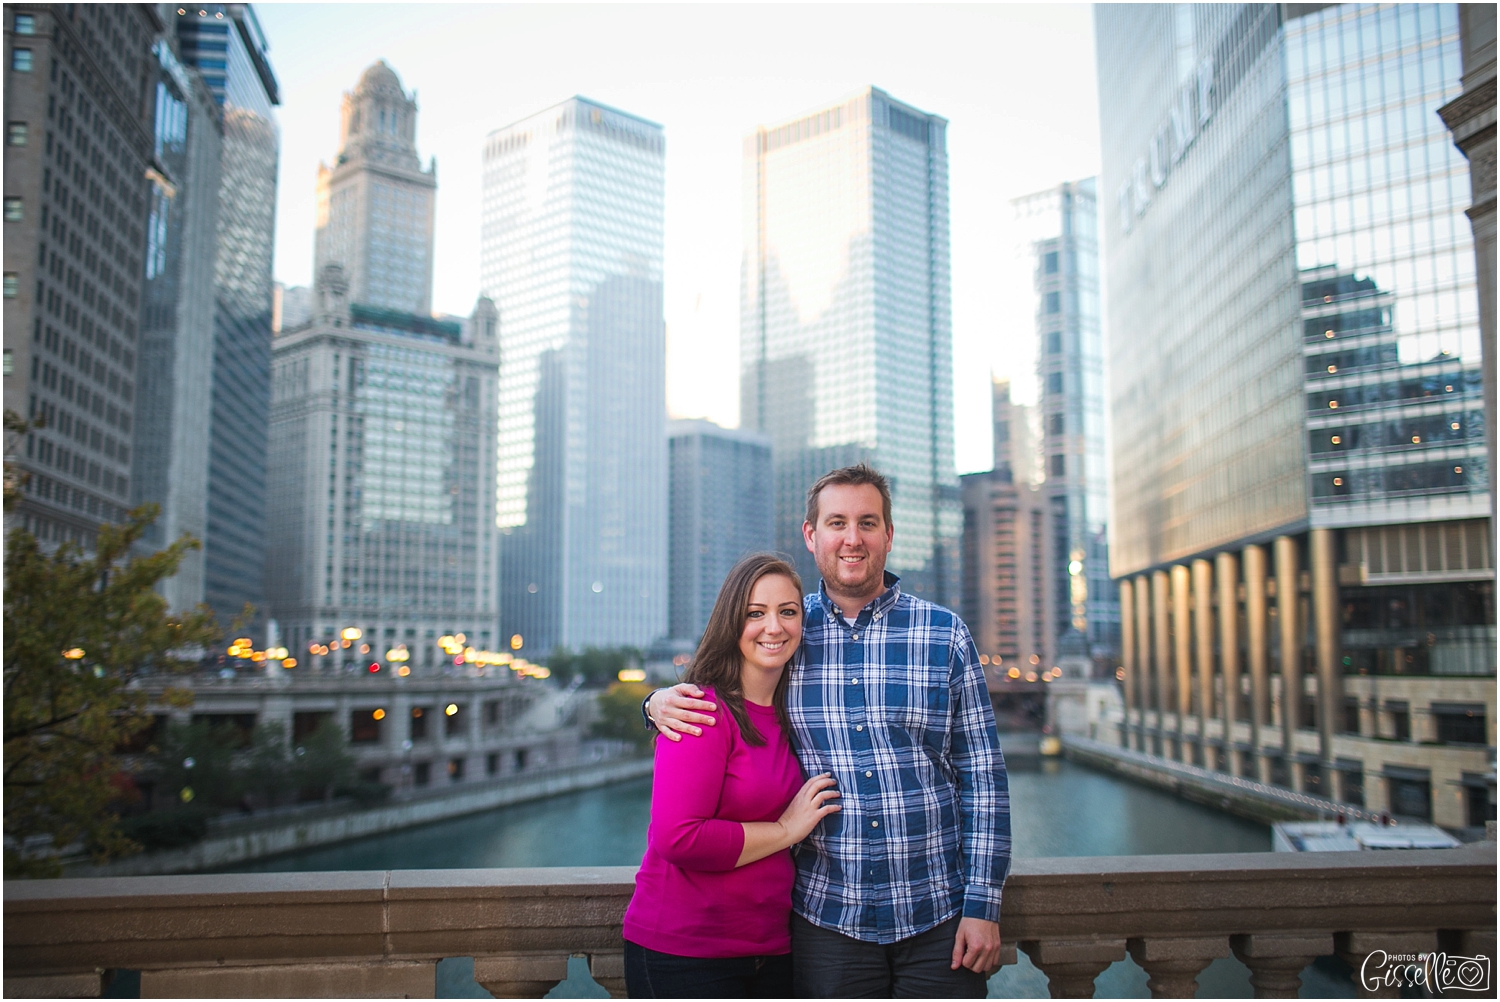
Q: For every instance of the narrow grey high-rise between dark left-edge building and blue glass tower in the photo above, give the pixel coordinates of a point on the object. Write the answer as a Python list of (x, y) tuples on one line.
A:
[(176, 361)]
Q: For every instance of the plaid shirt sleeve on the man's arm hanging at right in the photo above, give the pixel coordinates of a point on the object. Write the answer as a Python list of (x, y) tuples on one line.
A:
[(985, 802)]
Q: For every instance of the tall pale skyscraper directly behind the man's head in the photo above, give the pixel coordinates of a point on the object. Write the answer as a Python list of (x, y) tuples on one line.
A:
[(847, 334)]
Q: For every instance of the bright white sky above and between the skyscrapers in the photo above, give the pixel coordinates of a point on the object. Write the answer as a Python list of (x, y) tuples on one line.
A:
[(1015, 82)]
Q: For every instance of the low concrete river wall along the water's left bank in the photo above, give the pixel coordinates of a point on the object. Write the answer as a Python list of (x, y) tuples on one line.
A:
[(229, 848)]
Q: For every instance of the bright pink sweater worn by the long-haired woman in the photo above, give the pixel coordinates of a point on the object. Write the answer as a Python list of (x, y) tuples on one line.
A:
[(691, 899)]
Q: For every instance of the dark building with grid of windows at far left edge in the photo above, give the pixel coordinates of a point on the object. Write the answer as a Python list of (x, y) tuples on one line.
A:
[(80, 98)]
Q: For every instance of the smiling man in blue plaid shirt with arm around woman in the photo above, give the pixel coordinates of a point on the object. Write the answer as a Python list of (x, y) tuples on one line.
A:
[(898, 896)]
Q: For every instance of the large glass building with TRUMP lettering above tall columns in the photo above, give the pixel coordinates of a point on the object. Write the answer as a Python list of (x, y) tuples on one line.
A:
[(1300, 479)]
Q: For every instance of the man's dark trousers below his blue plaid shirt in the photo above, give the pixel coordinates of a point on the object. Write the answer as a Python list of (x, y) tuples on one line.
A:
[(830, 965)]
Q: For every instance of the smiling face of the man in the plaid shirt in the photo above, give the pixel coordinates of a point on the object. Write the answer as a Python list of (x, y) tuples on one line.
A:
[(851, 539)]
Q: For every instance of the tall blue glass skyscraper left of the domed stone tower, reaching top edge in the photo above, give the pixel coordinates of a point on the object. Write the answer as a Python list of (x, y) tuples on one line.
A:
[(226, 46)]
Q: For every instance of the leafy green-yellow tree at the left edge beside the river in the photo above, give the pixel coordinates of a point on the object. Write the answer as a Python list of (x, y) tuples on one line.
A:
[(79, 629)]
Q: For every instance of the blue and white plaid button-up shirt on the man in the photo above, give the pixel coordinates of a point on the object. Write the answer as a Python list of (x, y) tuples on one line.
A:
[(898, 710)]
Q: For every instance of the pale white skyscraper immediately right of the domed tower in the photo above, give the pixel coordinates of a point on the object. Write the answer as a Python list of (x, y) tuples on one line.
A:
[(571, 251)]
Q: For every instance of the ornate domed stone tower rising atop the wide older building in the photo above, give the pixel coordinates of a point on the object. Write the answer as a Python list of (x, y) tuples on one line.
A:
[(376, 203)]
